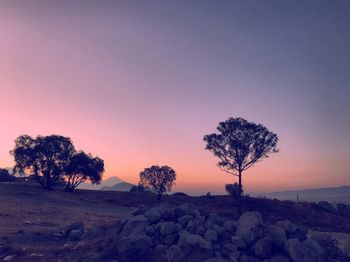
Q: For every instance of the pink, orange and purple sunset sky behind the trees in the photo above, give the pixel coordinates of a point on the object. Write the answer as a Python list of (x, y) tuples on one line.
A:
[(141, 82)]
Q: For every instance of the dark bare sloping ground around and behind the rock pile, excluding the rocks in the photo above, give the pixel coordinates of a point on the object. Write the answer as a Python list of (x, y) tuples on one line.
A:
[(31, 218)]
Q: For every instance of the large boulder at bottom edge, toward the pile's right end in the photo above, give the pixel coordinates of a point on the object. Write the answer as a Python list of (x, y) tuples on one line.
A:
[(307, 251)]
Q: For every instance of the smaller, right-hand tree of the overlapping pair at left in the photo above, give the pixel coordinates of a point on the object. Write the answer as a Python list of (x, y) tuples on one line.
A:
[(83, 167)]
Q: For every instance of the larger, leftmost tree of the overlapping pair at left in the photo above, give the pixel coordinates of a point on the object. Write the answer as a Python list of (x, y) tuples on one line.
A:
[(46, 157)]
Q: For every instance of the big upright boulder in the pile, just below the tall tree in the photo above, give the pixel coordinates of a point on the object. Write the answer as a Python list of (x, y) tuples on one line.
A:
[(250, 227)]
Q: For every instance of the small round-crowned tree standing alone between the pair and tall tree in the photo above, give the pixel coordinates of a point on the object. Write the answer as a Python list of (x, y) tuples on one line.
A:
[(158, 179)]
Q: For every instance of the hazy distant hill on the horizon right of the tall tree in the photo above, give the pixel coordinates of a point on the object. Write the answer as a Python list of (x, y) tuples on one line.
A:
[(330, 194)]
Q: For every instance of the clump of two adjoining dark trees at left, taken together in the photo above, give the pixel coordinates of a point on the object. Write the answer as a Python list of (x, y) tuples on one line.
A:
[(54, 158)]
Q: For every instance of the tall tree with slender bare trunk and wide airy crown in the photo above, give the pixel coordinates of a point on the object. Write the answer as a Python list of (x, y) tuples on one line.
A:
[(240, 144)]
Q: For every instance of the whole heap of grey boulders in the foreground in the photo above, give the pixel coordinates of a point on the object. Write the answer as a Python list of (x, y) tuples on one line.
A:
[(183, 233)]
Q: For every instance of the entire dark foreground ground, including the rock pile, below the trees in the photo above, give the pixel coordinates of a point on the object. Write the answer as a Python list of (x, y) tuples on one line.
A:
[(39, 225)]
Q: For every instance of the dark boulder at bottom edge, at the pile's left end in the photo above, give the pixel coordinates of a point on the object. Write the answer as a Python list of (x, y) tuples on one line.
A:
[(135, 248)]
